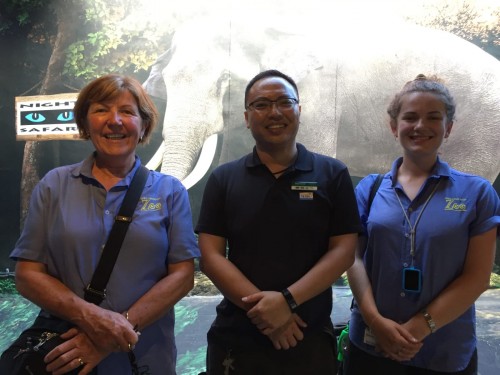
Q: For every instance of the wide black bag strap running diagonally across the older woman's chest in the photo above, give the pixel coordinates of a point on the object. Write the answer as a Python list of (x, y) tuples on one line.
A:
[(95, 292)]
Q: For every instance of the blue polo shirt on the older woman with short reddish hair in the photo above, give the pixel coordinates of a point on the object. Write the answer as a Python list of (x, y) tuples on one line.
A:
[(69, 219)]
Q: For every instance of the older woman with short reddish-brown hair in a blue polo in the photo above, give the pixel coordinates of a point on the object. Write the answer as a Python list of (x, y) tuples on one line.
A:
[(71, 214)]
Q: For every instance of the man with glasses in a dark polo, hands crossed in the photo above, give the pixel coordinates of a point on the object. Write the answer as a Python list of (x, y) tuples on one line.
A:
[(290, 222)]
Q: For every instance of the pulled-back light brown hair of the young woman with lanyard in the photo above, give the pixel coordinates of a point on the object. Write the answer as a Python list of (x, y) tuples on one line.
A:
[(421, 83)]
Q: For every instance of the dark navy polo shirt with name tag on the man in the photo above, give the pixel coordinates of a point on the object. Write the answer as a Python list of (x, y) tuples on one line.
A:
[(278, 228)]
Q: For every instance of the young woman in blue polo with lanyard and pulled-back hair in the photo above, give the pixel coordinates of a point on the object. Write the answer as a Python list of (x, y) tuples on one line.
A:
[(427, 251)]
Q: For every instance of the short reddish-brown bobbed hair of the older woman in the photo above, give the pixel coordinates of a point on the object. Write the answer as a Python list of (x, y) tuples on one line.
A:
[(107, 88)]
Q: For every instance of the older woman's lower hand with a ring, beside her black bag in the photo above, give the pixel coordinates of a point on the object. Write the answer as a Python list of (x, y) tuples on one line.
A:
[(77, 351)]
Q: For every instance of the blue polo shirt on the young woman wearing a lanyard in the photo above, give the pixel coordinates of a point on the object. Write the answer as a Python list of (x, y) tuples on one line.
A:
[(463, 206)]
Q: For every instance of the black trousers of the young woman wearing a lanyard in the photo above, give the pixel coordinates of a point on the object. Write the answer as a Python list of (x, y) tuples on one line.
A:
[(358, 362)]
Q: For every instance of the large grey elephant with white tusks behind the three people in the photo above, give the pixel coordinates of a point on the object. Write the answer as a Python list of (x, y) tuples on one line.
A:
[(346, 80)]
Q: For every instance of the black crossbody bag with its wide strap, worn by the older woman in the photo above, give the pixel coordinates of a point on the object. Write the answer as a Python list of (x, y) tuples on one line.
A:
[(25, 355)]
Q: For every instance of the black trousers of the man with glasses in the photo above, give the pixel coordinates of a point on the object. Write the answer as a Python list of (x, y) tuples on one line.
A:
[(230, 354)]
